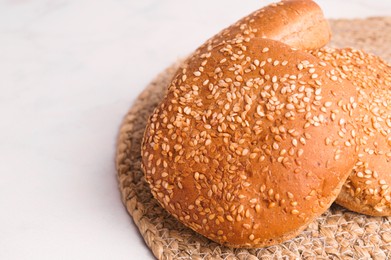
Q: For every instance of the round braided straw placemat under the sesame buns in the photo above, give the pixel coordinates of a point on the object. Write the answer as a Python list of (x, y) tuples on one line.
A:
[(337, 234)]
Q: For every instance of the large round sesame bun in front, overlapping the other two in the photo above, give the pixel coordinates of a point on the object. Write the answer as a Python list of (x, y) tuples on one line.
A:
[(253, 140)]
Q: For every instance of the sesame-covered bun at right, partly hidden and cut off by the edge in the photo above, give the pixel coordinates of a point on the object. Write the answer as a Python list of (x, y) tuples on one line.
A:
[(368, 188)]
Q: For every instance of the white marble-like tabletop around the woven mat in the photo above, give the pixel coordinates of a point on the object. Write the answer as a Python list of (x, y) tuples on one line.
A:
[(69, 70)]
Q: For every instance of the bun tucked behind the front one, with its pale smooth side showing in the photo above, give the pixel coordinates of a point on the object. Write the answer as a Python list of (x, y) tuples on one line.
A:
[(298, 23)]
